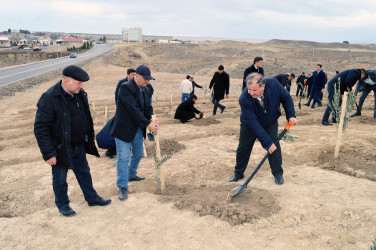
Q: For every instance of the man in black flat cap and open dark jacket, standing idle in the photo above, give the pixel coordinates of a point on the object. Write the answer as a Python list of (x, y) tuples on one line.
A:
[(64, 131)]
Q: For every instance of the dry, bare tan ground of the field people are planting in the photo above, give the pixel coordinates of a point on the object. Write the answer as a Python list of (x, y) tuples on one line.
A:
[(324, 203)]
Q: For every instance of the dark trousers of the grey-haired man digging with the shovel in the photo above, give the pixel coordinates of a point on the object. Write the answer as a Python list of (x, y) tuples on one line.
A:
[(246, 141)]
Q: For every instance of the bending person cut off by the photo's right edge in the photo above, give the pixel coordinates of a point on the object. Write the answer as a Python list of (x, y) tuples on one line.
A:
[(368, 85)]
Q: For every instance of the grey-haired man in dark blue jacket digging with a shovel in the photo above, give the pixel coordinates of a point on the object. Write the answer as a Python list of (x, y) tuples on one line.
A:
[(260, 111)]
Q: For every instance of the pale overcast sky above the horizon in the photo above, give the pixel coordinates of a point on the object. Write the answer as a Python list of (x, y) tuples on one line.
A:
[(322, 21)]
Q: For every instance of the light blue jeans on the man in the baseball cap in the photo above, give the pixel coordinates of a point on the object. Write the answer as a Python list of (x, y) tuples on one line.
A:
[(129, 155)]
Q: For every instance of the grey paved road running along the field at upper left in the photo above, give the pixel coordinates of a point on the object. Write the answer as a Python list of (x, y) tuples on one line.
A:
[(18, 73)]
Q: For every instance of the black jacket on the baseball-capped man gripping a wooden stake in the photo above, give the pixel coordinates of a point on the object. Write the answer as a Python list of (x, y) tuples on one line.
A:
[(129, 112)]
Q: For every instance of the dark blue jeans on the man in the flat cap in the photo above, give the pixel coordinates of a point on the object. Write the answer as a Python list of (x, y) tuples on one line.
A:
[(83, 176)]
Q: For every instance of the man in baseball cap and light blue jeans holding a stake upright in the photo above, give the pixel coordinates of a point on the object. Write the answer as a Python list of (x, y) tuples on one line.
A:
[(133, 114)]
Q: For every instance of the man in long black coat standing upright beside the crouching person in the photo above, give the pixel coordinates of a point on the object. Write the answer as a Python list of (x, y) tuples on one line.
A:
[(221, 85)]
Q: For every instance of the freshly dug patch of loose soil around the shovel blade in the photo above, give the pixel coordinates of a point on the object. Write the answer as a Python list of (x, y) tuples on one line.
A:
[(218, 201)]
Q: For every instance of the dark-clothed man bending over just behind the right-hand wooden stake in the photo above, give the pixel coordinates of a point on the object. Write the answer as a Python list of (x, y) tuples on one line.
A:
[(347, 80)]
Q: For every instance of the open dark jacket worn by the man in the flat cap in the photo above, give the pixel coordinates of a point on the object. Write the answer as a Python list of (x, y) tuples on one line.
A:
[(52, 127)]
